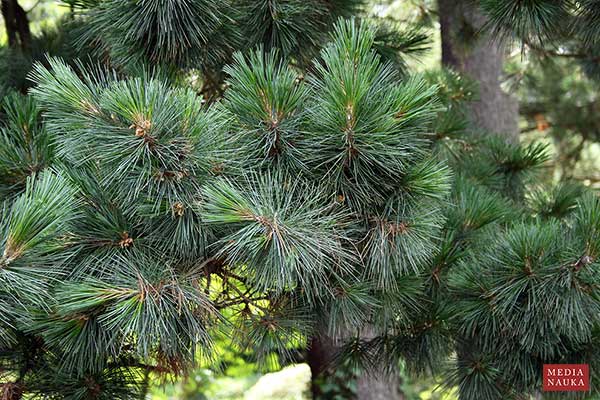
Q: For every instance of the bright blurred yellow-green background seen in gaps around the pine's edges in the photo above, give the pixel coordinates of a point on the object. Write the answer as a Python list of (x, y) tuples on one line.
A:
[(559, 105)]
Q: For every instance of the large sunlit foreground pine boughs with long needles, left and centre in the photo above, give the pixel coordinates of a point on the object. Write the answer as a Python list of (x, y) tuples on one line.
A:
[(158, 214)]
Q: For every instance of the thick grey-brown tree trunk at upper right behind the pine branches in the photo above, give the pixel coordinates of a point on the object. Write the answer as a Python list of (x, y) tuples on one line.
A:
[(471, 51)]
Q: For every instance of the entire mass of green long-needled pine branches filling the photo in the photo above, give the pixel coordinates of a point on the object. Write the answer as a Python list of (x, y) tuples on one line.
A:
[(319, 197)]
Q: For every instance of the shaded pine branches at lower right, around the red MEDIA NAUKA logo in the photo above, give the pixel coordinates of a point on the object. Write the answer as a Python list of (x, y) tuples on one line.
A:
[(501, 268)]
